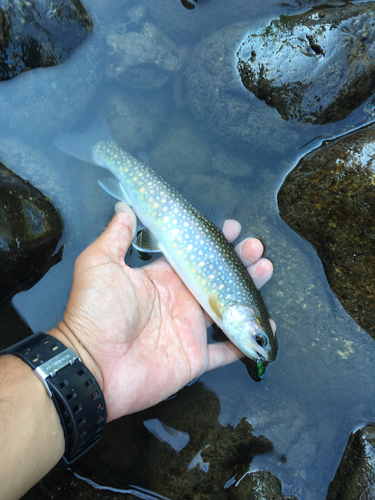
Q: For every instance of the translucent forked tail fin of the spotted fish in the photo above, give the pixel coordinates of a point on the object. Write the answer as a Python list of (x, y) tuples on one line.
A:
[(81, 144)]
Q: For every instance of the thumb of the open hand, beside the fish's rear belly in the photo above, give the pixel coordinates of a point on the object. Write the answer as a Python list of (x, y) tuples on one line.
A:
[(113, 243)]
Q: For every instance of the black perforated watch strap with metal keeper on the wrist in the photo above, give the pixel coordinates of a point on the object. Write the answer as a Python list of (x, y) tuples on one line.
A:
[(71, 386)]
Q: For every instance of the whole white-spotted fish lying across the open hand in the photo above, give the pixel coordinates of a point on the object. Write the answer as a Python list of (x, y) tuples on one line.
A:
[(193, 244)]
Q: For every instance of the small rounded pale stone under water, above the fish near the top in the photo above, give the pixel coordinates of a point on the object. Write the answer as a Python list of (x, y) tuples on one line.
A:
[(141, 56)]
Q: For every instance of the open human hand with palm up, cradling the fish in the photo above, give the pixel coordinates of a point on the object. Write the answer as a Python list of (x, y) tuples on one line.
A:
[(140, 331)]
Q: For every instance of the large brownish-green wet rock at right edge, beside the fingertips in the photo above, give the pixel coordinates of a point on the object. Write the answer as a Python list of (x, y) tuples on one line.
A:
[(329, 199)]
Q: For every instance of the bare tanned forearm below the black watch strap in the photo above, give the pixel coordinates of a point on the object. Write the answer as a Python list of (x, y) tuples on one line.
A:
[(31, 436)]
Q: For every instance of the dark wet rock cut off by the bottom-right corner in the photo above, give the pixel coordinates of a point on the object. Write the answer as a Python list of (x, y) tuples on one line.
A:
[(355, 476)]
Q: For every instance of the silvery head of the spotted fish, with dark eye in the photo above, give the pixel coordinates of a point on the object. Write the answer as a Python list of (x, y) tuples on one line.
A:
[(244, 328)]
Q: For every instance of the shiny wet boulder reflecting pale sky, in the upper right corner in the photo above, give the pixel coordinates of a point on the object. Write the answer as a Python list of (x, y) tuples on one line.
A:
[(314, 67)]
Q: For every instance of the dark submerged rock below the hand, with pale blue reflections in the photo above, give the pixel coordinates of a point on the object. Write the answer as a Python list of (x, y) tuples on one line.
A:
[(187, 454)]
